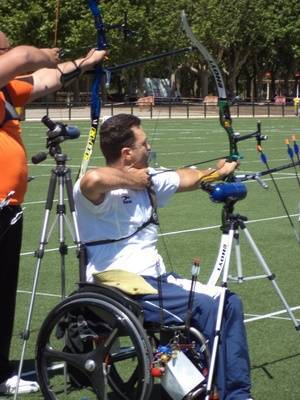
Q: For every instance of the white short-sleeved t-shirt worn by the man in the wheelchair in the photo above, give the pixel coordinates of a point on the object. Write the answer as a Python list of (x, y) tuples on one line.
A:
[(121, 213)]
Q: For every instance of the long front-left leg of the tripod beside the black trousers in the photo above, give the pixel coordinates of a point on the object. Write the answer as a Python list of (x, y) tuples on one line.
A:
[(39, 255)]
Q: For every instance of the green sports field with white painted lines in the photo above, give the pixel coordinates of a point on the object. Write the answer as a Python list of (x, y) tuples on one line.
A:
[(190, 228)]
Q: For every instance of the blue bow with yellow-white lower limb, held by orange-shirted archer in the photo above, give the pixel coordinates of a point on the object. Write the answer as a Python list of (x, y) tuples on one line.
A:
[(96, 86)]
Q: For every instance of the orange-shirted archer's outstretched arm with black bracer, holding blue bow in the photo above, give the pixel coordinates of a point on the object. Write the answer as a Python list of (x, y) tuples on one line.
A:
[(49, 80)]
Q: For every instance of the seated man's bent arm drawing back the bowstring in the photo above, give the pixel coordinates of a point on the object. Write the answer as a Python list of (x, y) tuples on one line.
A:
[(95, 183)]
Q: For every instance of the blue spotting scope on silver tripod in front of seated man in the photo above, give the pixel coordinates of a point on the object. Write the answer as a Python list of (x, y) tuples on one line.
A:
[(232, 223)]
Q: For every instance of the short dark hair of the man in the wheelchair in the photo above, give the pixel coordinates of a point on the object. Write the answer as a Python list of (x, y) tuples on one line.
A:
[(115, 134)]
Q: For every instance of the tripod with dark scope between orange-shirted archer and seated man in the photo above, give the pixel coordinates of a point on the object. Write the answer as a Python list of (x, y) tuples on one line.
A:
[(61, 177)]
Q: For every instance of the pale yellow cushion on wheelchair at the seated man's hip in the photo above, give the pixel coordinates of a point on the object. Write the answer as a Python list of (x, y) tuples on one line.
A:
[(128, 282)]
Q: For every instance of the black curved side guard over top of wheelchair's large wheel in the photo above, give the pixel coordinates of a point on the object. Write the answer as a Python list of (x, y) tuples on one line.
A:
[(114, 294)]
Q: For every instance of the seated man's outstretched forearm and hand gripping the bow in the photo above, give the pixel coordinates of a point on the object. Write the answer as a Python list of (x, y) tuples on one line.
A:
[(191, 178)]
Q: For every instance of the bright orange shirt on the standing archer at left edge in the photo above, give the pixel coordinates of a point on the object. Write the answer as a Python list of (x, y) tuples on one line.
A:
[(13, 160)]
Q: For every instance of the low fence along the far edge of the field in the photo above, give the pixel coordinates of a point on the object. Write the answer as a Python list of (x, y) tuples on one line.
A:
[(73, 111)]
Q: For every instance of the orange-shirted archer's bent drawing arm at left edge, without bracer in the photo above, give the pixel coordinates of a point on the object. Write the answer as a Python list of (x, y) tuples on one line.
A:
[(24, 59)]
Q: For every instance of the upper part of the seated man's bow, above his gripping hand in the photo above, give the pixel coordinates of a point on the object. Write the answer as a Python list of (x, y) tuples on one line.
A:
[(223, 104)]
